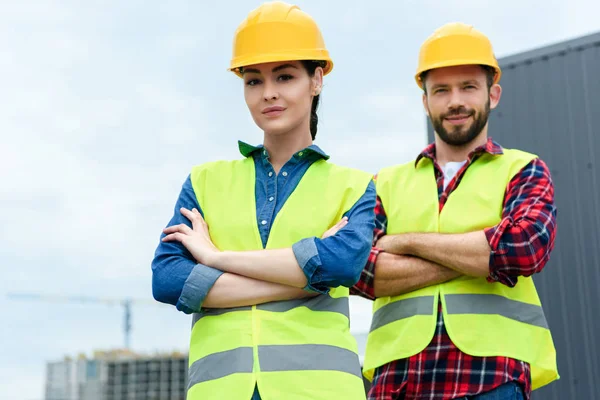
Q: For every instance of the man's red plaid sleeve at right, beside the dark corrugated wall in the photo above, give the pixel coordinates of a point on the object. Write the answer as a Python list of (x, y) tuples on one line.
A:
[(521, 243)]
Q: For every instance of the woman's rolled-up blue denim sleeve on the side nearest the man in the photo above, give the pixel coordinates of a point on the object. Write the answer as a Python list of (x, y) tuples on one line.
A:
[(338, 260)]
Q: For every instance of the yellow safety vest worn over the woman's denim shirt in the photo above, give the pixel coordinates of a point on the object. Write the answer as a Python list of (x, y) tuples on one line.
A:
[(293, 350)]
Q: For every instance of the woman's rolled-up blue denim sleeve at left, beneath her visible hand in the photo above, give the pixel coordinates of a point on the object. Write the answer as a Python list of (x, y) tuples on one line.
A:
[(177, 278)]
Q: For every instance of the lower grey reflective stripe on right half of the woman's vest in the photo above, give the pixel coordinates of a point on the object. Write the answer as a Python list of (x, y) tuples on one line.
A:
[(308, 357)]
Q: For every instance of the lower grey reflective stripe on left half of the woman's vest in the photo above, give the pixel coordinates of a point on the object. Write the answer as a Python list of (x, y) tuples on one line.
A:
[(219, 365)]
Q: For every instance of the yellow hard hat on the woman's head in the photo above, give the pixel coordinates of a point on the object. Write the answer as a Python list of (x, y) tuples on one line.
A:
[(277, 31)]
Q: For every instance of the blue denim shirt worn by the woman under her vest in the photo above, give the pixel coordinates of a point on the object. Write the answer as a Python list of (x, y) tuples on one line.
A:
[(179, 280)]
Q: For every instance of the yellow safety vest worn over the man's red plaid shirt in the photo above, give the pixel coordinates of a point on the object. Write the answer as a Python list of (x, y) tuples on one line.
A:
[(482, 319)]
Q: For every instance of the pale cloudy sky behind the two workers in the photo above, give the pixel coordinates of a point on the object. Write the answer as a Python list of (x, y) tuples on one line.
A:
[(106, 105)]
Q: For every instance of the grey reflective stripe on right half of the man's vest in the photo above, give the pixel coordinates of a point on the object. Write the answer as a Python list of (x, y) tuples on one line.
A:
[(495, 304)]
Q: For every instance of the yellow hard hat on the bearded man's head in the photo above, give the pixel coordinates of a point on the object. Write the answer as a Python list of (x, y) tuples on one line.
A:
[(456, 44)]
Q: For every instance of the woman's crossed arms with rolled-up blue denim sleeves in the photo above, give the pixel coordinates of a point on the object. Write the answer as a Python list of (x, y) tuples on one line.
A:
[(190, 273)]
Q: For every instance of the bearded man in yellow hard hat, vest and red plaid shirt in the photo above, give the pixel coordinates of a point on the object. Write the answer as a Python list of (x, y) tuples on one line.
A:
[(459, 232)]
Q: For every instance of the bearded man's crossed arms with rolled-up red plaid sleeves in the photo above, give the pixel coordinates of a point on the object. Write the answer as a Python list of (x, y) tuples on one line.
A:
[(519, 245)]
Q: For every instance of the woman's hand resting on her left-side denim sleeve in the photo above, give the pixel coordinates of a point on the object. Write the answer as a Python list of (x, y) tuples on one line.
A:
[(196, 239)]
